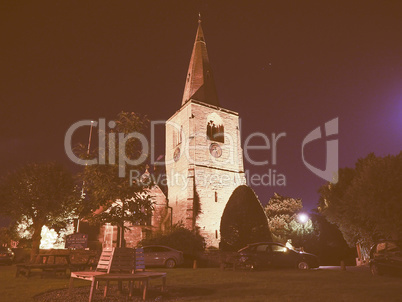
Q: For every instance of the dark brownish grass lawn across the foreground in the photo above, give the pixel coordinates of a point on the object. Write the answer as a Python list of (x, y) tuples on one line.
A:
[(215, 285)]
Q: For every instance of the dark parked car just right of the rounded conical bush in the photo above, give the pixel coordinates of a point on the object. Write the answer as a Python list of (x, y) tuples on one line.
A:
[(272, 254)]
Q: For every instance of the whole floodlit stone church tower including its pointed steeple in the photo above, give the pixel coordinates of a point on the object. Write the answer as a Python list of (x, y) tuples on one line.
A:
[(204, 159)]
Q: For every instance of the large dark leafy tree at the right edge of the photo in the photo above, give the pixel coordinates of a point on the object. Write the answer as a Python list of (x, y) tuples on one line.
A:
[(366, 203)]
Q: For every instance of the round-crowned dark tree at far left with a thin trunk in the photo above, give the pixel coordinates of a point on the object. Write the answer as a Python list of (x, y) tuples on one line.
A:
[(39, 194)]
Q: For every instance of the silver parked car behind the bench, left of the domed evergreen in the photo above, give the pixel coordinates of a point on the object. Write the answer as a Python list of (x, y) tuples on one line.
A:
[(159, 255)]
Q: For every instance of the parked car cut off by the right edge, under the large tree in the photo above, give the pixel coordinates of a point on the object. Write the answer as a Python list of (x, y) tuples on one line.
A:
[(386, 257)]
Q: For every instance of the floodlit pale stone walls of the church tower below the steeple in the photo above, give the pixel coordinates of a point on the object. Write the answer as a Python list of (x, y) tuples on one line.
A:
[(196, 170)]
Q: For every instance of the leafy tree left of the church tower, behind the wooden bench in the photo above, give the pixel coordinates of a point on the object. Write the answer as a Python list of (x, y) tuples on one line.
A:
[(109, 197)]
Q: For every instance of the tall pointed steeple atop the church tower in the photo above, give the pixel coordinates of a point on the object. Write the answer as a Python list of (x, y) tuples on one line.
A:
[(200, 84)]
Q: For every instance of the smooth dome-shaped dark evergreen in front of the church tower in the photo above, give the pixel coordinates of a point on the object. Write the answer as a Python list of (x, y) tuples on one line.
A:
[(243, 220)]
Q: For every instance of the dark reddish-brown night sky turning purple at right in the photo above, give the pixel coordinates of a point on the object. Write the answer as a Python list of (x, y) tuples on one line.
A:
[(287, 67)]
